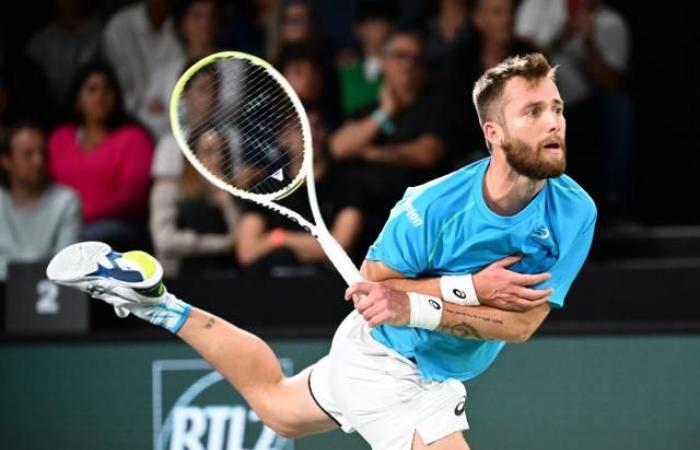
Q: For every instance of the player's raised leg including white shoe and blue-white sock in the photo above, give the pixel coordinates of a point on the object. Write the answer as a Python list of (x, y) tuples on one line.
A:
[(131, 283)]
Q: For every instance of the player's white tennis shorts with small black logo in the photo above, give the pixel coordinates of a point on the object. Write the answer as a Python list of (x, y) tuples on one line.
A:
[(365, 386)]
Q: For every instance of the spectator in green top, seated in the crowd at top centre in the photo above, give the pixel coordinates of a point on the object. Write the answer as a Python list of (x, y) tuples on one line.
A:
[(360, 78)]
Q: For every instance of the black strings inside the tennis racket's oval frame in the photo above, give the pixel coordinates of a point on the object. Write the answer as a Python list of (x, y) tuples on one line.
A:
[(250, 105)]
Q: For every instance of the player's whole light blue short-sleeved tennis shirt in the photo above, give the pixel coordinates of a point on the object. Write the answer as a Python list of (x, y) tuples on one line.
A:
[(445, 227)]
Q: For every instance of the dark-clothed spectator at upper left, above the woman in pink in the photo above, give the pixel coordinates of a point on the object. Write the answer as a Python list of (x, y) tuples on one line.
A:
[(70, 40)]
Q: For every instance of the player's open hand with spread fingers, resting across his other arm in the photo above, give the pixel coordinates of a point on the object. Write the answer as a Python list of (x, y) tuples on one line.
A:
[(501, 288)]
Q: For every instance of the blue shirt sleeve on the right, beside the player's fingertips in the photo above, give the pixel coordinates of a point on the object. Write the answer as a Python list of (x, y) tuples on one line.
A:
[(568, 266)]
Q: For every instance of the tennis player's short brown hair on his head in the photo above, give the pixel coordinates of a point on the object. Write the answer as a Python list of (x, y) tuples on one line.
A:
[(488, 89)]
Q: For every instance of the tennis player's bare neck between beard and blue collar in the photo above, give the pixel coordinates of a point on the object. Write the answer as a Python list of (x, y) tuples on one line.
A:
[(506, 192)]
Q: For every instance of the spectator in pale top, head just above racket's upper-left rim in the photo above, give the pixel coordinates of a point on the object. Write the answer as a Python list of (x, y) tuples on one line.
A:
[(196, 22)]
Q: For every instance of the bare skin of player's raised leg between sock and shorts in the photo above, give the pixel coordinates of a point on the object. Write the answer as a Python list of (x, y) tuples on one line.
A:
[(248, 363)]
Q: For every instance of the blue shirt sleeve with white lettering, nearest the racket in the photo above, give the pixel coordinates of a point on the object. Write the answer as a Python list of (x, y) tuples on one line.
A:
[(404, 242)]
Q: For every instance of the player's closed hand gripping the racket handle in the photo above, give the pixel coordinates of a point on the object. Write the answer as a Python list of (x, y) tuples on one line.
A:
[(380, 304)]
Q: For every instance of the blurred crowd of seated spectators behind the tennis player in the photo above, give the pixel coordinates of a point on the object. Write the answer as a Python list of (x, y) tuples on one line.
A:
[(87, 152)]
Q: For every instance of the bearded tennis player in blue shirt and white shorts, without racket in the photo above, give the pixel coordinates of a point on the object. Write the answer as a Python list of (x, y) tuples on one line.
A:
[(446, 291)]
